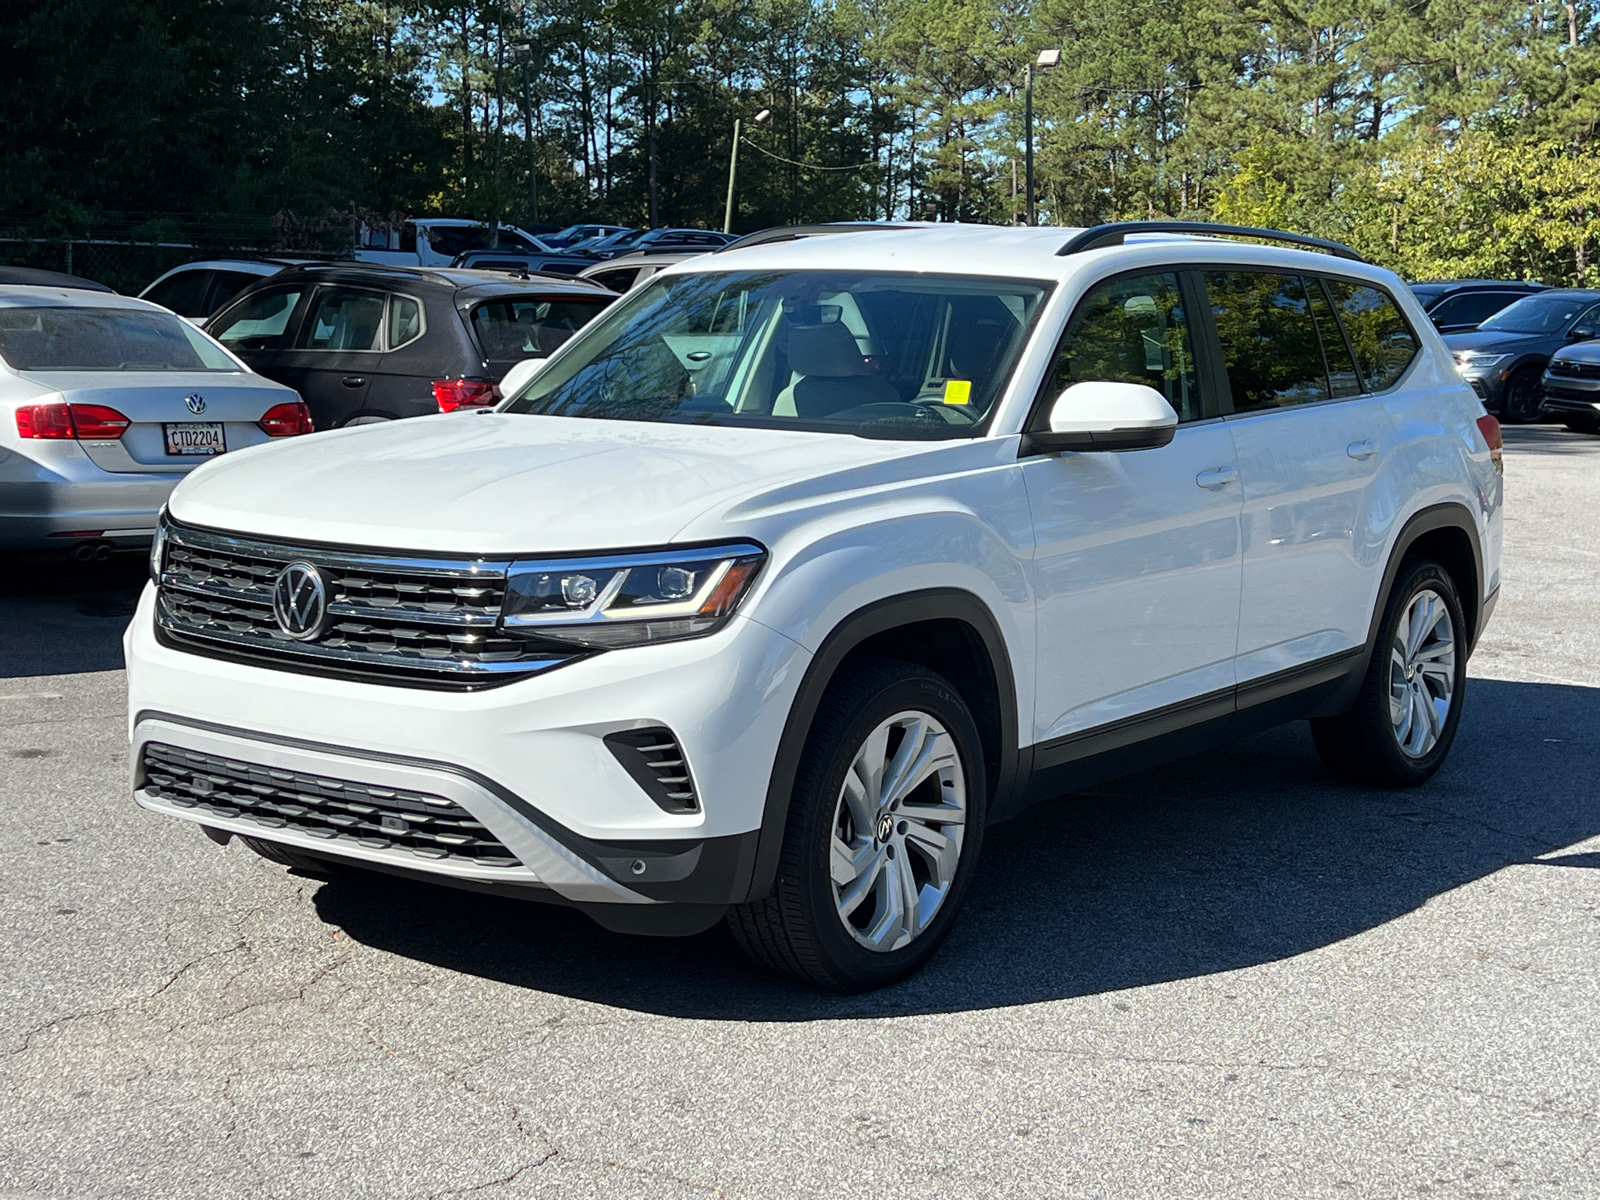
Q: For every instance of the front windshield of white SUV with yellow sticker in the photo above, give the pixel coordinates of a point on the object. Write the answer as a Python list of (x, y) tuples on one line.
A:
[(850, 353)]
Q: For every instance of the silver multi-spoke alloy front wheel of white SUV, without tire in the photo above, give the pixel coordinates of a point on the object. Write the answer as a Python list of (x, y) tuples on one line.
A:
[(898, 831)]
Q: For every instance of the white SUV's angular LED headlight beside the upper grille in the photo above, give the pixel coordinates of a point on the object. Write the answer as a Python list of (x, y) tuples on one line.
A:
[(630, 599)]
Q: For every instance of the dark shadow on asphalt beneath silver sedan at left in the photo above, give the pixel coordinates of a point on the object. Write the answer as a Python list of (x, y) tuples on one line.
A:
[(65, 618)]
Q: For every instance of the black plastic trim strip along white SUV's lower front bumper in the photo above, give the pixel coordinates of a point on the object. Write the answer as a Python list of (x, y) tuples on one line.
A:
[(690, 871)]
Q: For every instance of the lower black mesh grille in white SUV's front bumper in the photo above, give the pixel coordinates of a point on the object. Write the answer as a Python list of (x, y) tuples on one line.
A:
[(335, 810)]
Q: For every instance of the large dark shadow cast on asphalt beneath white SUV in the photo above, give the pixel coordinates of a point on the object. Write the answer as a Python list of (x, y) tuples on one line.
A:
[(1222, 862)]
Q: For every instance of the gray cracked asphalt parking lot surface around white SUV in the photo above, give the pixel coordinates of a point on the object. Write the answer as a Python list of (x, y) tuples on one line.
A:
[(1228, 977)]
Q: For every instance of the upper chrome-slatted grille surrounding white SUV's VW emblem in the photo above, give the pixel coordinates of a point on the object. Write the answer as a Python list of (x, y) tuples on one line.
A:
[(422, 622)]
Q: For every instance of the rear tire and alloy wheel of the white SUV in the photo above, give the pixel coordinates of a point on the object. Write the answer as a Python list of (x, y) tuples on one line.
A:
[(1396, 735)]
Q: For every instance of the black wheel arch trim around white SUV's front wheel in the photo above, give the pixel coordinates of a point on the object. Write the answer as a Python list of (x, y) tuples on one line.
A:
[(882, 617)]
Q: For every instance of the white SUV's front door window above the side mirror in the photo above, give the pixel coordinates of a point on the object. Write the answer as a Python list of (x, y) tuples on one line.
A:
[(1132, 330)]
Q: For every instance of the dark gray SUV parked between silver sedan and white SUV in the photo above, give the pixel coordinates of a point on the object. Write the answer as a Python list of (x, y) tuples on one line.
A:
[(366, 345)]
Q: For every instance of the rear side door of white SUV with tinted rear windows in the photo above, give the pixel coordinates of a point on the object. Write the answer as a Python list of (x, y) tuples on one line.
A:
[(1313, 436)]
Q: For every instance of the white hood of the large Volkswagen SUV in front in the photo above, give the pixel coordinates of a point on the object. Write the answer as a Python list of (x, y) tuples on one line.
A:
[(498, 484)]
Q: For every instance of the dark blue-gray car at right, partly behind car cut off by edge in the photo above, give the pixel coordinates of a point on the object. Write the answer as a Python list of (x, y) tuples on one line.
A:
[(1506, 356)]
